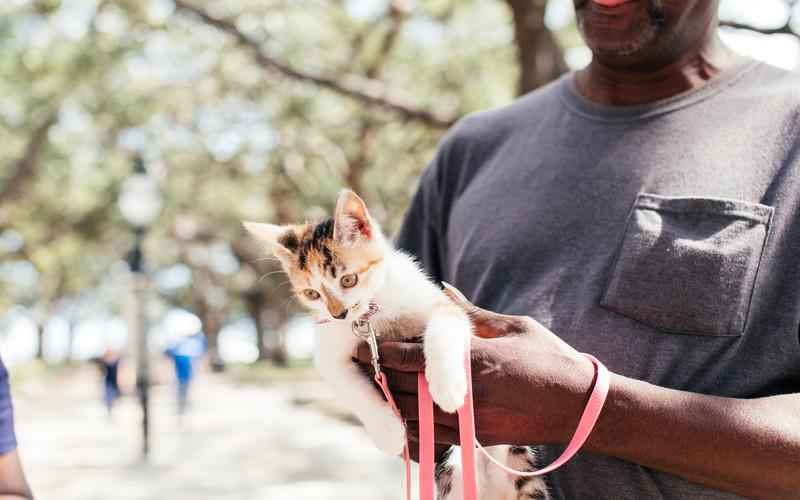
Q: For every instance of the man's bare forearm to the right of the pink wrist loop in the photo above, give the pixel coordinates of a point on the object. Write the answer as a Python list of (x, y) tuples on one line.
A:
[(749, 447)]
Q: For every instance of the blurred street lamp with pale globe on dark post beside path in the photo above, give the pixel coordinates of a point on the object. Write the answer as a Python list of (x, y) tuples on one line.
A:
[(140, 203)]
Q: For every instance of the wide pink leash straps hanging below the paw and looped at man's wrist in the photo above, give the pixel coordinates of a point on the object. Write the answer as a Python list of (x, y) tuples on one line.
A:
[(466, 421)]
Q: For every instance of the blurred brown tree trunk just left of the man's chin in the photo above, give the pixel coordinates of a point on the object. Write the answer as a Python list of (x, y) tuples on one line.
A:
[(540, 58)]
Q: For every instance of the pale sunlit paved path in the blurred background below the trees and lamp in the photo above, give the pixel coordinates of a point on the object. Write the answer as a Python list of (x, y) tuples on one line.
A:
[(238, 443)]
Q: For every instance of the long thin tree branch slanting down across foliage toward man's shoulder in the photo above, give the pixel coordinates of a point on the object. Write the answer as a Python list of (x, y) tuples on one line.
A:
[(372, 92)]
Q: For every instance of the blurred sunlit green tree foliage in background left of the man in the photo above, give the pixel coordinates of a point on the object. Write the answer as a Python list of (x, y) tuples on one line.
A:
[(228, 137)]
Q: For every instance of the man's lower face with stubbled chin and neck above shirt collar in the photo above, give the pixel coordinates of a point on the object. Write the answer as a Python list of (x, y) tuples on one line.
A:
[(649, 50)]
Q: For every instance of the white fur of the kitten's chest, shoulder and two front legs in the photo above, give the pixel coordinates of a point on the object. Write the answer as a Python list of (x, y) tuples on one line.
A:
[(406, 293)]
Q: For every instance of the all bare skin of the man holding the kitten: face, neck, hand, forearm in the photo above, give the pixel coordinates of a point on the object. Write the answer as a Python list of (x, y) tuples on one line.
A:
[(531, 387)]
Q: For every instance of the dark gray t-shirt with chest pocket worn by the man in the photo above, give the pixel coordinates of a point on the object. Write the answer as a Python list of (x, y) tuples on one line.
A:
[(664, 239)]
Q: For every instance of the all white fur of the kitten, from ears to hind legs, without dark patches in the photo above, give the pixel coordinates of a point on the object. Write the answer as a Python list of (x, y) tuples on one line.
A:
[(403, 292)]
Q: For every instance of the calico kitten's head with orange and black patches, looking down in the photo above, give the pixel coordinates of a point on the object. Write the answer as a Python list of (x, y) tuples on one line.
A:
[(335, 266)]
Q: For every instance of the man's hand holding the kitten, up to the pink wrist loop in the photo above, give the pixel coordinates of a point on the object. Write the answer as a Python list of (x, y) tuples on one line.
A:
[(528, 385)]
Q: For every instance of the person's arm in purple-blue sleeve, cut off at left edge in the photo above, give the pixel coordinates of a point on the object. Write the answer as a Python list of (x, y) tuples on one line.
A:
[(13, 485)]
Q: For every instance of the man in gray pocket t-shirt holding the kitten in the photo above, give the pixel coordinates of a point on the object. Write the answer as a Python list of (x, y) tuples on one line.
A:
[(645, 210)]
